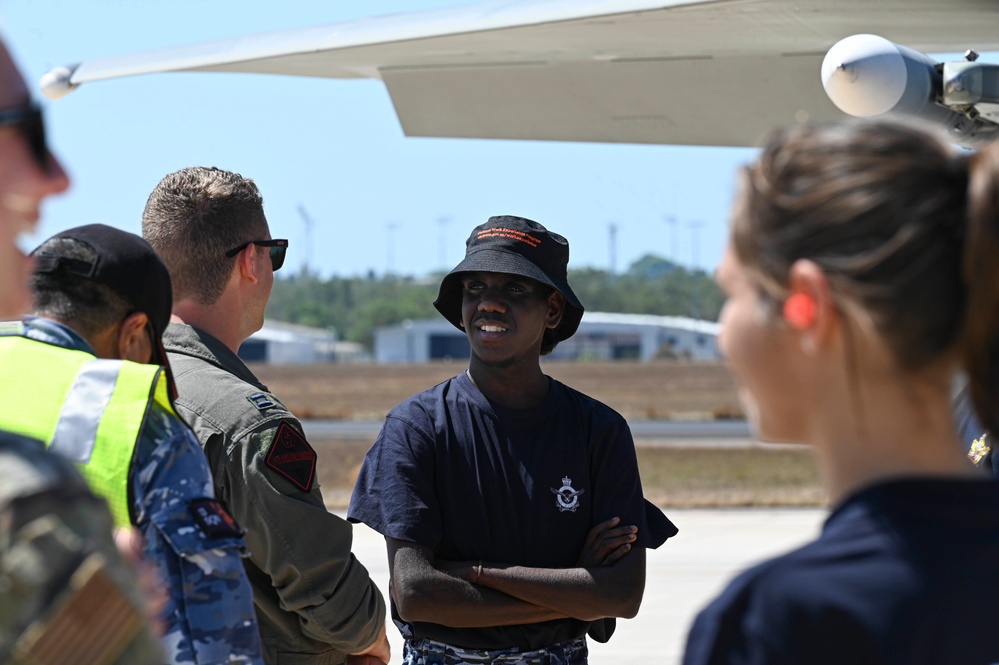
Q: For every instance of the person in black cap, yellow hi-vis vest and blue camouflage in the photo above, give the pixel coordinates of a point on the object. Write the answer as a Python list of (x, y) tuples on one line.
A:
[(77, 376)]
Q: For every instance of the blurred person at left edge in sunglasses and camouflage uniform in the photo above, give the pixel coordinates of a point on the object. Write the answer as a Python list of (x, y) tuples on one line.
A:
[(66, 592)]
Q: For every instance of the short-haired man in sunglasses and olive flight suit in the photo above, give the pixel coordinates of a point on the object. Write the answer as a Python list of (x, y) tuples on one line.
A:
[(316, 604)]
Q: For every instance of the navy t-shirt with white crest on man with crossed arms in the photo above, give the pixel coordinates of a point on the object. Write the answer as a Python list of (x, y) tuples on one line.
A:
[(472, 480)]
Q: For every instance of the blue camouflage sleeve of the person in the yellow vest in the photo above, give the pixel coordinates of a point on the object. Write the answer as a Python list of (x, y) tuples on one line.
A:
[(210, 617)]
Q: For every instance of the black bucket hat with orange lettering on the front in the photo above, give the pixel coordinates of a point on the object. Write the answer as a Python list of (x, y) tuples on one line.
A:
[(515, 246)]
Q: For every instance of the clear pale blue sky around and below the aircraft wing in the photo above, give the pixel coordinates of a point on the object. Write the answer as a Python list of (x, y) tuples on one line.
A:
[(378, 200)]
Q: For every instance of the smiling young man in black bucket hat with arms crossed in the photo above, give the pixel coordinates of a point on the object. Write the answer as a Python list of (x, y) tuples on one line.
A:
[(511, 503)]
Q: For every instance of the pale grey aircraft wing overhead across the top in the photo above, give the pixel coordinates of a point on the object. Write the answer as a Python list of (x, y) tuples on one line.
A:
[(709, 72)]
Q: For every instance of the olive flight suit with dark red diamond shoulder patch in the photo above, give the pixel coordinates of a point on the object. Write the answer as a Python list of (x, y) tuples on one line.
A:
[(315, 601)]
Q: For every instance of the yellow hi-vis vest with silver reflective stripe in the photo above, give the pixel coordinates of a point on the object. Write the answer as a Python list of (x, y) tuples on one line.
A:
[(86, 409)]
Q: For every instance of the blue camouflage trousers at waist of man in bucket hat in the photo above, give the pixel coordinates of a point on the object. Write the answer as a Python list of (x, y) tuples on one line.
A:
[(429, 652)]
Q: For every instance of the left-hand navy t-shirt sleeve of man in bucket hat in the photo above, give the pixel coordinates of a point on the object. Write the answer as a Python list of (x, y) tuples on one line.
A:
[(395, 489)]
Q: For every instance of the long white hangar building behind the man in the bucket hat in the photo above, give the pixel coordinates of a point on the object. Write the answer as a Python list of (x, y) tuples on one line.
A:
[(601, 336)]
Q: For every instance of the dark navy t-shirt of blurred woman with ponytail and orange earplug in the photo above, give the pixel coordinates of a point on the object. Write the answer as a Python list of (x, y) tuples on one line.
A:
[(903, 573)]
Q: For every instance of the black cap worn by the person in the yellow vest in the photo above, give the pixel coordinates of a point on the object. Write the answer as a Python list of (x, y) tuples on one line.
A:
[(127, 265)]
